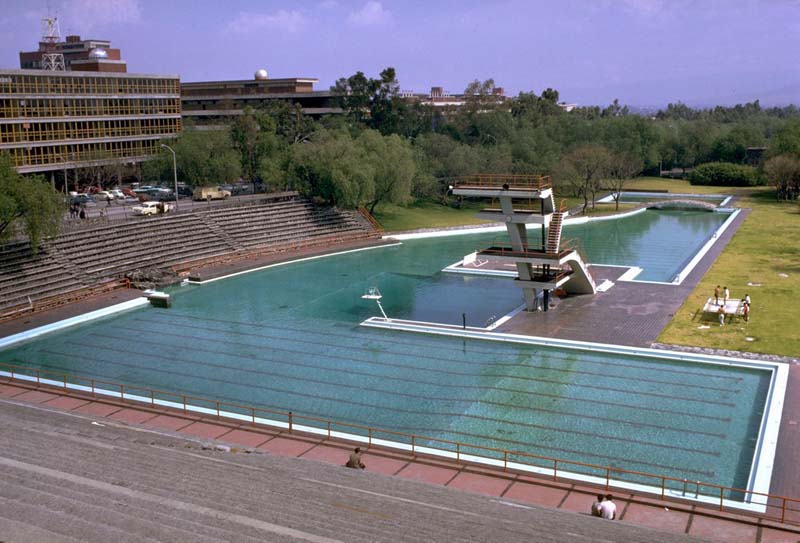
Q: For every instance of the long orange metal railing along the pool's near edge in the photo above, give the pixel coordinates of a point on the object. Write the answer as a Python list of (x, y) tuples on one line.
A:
[(782, 509)]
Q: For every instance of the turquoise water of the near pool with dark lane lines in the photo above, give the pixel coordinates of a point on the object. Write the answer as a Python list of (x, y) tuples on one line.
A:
[(288, 338)]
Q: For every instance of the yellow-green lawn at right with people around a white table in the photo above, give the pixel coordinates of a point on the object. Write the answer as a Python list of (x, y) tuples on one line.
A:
[(764, 251)]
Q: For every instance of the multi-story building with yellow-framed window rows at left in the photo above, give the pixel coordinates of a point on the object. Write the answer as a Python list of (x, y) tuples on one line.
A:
[(54, 120)]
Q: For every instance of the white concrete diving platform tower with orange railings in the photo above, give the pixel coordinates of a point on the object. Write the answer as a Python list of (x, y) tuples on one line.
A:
[(543, 266)]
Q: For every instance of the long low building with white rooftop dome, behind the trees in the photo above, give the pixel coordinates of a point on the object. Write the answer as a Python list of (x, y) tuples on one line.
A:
[(216, 103)]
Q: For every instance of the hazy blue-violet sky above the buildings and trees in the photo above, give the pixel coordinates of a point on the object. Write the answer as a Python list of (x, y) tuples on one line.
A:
[(644, 52)]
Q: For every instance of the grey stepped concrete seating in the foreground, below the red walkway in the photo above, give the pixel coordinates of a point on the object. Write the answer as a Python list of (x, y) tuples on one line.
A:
[(65, 478)]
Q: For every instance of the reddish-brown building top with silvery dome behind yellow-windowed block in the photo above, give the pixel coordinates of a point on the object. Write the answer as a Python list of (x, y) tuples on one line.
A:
[(79, 55)]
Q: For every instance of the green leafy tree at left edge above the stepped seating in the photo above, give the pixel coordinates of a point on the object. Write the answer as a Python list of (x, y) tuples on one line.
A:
[(30, 202)]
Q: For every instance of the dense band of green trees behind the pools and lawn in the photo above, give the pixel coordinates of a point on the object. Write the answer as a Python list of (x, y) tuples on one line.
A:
[(387, 149)]
